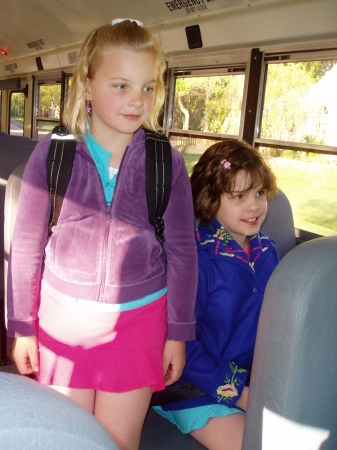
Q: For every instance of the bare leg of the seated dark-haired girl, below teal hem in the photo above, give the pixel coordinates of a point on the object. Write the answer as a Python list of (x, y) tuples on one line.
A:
[(222, 433)]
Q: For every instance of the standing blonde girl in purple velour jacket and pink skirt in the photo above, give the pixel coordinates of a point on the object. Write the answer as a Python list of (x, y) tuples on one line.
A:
[(99, 310)]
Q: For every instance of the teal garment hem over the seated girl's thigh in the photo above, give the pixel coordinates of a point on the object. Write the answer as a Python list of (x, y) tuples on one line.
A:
[(191, 419)]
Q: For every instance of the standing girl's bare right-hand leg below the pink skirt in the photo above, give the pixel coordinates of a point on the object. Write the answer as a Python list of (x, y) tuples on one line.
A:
[(123, 415)]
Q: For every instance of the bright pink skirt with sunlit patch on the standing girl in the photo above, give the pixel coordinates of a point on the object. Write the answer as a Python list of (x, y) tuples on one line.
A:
[(84, 345)]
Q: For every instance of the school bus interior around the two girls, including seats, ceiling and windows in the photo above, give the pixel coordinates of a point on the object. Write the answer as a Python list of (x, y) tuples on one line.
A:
[(260, 70)]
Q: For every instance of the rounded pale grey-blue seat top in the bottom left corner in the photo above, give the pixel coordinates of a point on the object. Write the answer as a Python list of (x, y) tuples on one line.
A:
[(33, 416)]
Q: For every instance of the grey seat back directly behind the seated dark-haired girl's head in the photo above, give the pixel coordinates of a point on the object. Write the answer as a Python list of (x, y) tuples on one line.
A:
[(279, 223)]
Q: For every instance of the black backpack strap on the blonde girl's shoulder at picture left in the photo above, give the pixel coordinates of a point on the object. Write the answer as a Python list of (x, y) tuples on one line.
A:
[(59, 167)]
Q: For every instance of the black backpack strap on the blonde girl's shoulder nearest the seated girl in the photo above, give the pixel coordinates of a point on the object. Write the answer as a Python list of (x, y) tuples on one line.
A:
[(158, 179)]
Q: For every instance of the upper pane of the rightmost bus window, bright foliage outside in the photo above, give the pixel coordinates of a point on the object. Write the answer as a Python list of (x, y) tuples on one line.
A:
[(298, 105)]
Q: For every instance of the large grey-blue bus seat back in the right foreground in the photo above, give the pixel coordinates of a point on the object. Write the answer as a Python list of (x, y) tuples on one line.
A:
[(293, 392)]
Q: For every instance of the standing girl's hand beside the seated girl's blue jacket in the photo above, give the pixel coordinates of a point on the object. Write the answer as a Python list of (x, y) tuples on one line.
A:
[(174, 359)]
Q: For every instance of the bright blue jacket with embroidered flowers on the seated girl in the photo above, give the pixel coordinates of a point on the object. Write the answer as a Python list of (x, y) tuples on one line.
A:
[(229, 298)]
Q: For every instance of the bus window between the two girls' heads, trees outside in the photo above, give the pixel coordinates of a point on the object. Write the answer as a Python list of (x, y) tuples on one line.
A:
[(205, 105)]
